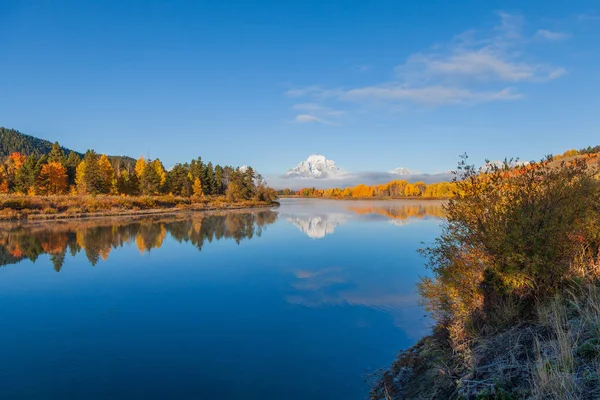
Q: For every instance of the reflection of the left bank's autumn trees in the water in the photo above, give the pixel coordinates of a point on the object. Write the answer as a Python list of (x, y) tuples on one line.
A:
[(96, 238)]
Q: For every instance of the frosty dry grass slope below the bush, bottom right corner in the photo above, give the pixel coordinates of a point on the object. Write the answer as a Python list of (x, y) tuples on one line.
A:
[(555, 356)]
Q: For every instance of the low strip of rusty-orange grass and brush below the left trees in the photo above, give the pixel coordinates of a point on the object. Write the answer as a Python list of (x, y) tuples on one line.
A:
[(16, 207)]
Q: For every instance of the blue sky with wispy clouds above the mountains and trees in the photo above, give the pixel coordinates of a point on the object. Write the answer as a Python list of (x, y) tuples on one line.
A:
[(373, 85)]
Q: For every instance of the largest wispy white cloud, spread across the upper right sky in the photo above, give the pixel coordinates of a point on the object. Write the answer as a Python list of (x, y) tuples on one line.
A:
[(474, 67)]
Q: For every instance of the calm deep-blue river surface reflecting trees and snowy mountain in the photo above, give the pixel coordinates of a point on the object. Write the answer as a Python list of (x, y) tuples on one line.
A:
[(299, 302)]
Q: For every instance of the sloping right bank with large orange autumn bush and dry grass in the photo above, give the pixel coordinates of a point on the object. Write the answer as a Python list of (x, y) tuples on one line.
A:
[(514, 293)]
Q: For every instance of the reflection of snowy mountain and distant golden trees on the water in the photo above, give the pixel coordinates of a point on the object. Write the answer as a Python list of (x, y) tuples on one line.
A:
[(317, 226)]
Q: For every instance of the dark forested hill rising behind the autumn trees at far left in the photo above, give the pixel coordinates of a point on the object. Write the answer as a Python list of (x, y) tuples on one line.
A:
[(12, 141)]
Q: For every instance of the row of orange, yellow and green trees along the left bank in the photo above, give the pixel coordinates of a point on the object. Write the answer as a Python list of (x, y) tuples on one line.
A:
[(56, 173)]
